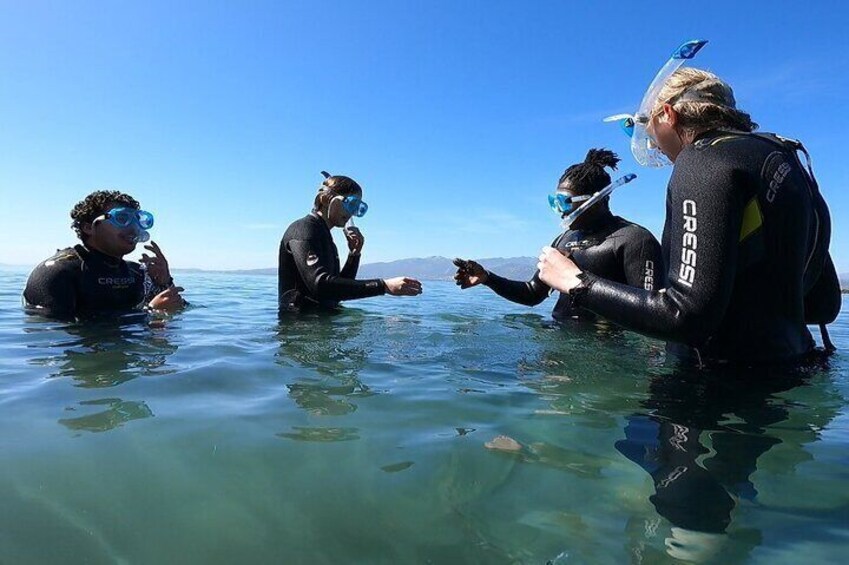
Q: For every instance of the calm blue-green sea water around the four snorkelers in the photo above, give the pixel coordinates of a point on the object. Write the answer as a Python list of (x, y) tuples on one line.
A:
[(229, 437)]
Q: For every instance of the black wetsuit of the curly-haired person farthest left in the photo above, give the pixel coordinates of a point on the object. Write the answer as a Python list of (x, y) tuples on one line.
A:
[(78, 282)]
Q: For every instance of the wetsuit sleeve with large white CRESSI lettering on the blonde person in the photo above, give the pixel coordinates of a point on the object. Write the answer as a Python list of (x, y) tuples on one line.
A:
[(704, 215)]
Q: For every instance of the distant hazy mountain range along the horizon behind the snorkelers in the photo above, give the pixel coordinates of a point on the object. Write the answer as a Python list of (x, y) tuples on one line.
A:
[(425, 268)]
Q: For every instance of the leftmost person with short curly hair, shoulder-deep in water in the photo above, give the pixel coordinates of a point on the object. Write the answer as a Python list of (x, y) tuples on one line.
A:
[(92, 278)]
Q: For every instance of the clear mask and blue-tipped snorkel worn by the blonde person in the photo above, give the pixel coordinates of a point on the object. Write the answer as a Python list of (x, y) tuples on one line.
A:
[(643, 146)]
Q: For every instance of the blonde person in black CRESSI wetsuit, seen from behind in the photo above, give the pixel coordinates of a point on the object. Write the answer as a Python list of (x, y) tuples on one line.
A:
[(746, 235)]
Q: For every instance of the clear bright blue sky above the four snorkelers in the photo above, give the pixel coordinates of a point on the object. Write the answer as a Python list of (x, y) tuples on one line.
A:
[(456, 117)]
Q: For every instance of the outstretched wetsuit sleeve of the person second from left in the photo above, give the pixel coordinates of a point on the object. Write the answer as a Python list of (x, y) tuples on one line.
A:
[(316, 274)]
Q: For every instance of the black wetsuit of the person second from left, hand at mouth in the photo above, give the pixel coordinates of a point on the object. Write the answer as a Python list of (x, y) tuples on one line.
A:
[(308, 273)]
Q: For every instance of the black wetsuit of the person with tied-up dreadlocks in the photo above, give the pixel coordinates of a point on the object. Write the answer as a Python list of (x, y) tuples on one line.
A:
[(610, 247)]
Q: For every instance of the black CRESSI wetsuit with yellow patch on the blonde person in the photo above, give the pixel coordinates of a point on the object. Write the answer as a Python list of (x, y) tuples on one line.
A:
[(746, 247)]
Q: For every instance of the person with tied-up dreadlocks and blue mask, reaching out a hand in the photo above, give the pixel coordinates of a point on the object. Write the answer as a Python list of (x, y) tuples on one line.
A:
[(596, 239)]
